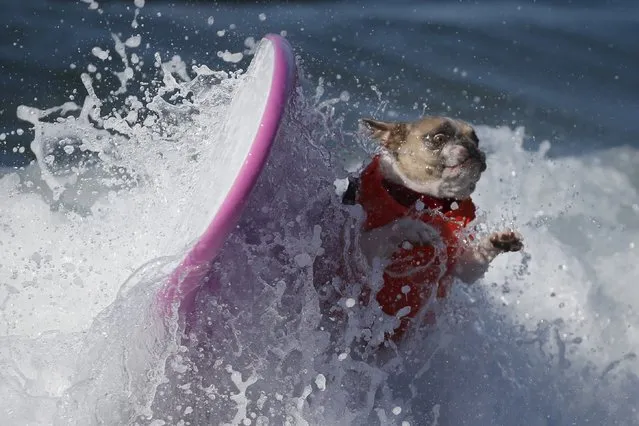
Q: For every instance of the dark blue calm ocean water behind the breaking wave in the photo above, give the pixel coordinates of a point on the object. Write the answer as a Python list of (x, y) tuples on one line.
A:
[(564, 70)]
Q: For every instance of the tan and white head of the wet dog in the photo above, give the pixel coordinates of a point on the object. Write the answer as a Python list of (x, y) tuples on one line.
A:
[(437, 156)]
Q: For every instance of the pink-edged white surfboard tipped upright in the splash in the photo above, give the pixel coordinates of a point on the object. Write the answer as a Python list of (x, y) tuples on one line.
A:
[(254, 117)]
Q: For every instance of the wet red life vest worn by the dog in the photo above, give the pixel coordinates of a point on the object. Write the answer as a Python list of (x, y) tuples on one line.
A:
[(413, 272)]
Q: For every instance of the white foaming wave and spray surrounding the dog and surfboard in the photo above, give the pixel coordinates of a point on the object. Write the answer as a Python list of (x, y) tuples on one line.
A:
[(89, 233)]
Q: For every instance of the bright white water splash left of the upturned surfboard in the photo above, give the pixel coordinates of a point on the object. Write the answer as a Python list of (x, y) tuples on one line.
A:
[(81, 339)]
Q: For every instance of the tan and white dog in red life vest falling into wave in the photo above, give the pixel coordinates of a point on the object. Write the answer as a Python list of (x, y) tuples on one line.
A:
[(416, 196)]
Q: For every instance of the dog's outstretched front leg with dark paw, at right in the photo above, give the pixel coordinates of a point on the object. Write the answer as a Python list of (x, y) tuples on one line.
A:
[(473, 261)]
